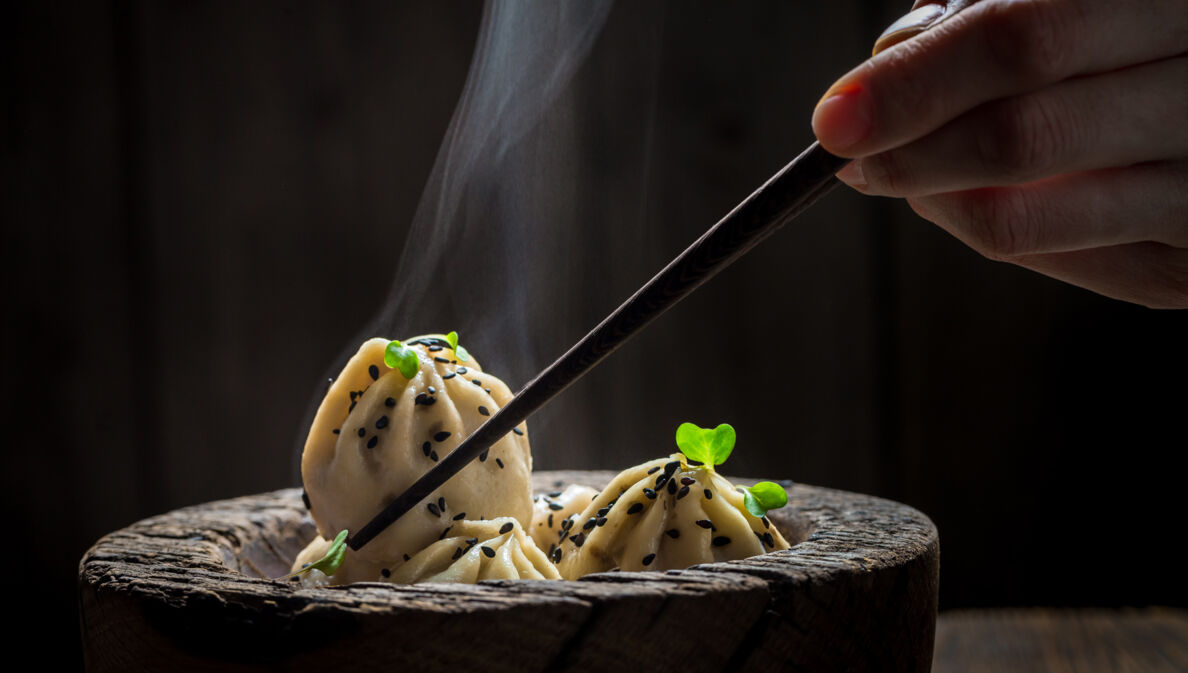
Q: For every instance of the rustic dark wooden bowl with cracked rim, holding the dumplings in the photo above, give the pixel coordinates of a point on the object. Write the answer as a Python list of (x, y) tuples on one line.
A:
[(189, 592)]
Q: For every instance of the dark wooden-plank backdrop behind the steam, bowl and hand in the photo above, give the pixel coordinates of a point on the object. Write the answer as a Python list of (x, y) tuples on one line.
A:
[(204, 204)]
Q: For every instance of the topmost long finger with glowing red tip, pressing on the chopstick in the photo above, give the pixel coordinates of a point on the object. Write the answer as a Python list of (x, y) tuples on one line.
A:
[(991, 51)]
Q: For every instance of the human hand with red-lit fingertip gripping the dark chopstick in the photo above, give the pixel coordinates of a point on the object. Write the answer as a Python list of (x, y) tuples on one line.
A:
[(1047, 134)]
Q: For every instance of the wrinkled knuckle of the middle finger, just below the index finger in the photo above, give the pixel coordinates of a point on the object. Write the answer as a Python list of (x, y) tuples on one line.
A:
[(1023, 139)]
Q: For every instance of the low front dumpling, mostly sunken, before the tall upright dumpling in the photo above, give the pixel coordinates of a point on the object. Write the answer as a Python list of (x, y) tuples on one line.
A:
[(479, 550)]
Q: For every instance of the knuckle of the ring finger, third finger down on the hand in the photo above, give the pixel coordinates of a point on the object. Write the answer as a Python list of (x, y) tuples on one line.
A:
[(1000, 225)]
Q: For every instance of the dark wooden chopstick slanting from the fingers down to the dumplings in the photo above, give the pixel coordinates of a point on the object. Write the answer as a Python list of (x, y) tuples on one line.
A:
[(785, 197)]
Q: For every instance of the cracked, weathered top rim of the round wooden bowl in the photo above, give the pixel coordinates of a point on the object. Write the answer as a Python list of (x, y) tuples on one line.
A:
[(224, 549)]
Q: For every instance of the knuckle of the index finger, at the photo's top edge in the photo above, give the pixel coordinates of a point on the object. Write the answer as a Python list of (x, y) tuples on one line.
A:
[(1031, 41)]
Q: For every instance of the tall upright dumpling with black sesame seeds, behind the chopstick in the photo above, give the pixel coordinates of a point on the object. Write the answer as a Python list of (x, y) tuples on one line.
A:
[(377, 432)]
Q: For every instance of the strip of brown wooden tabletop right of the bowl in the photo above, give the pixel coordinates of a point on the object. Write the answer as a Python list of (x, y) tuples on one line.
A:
[(1153, 640)]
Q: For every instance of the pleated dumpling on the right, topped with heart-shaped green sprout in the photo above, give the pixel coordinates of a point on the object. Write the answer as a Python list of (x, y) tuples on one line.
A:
[(663, 515)]
